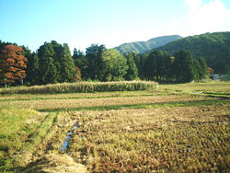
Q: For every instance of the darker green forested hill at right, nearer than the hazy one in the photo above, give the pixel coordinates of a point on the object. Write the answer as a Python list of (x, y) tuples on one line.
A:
[(214, 47)]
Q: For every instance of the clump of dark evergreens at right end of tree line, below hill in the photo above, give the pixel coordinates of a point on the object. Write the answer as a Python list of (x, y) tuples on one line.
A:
[(158, 65)]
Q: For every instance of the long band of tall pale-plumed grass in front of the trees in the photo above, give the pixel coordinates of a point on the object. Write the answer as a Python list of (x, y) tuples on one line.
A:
[(83, 87)]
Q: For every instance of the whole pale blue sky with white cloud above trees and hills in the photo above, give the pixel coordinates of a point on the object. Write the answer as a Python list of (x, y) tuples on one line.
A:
[(80, 23)]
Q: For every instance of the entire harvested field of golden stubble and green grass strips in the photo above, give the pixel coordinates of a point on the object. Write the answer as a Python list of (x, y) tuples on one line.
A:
[(174, 128)]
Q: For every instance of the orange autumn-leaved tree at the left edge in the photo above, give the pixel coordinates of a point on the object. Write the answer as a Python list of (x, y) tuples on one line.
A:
[(12, 64)]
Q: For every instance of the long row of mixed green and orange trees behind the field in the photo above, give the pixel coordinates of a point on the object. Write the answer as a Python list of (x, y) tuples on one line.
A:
[(53, 63)]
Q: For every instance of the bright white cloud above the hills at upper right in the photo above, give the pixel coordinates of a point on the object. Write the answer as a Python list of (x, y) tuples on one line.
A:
[(200, 18)]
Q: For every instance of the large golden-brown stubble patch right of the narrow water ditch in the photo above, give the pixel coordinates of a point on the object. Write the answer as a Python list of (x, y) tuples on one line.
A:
[(180, 139)]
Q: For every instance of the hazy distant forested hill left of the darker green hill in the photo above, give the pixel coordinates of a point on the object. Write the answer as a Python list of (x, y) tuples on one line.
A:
[(143, 46)]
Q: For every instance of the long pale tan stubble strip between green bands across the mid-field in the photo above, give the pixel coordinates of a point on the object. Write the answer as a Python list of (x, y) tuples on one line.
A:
[(81, 103)]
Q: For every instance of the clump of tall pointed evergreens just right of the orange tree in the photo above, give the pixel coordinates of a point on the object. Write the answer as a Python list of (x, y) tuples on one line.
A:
[(58, 58)]
